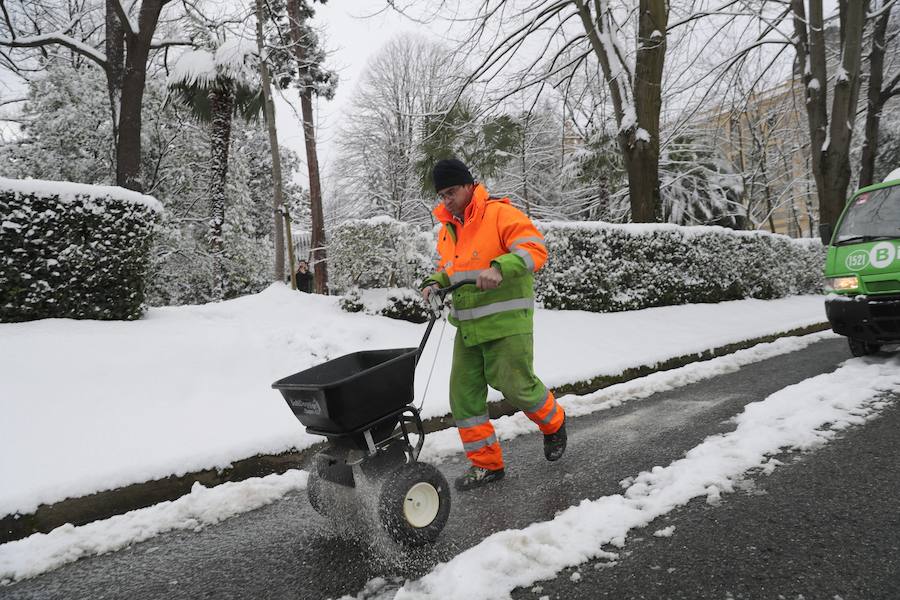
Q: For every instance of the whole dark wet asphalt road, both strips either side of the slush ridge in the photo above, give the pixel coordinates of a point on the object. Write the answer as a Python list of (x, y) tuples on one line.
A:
[(825, 526)]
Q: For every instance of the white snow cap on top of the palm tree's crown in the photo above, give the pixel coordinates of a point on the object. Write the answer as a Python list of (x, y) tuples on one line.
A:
[(234, 59)]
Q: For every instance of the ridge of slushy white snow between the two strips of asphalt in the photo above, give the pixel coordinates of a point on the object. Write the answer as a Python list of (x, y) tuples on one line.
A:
[(800, 417)]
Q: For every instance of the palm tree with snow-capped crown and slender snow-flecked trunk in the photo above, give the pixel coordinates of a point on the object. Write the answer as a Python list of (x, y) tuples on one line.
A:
[(216, 85)]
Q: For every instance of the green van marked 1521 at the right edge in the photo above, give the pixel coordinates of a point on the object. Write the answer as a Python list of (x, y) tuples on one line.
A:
[(862, 270)]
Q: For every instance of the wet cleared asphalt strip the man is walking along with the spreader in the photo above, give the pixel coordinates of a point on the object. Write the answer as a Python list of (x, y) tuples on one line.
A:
[(285, 550)]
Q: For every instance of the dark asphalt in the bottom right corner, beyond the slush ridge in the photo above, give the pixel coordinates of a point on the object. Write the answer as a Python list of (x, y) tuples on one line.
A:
[(826, 527)]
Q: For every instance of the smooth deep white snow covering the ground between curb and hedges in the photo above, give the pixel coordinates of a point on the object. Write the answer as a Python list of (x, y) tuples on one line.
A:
[(188, 388)]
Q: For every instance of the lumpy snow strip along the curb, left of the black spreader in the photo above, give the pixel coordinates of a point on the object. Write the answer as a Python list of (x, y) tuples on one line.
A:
[(203, 506)]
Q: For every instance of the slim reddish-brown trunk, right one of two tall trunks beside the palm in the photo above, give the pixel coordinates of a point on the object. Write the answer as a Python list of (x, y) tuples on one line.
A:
[(312, 160)]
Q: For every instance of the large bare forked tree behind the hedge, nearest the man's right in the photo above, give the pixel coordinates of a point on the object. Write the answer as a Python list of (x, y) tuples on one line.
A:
[(633, 78)]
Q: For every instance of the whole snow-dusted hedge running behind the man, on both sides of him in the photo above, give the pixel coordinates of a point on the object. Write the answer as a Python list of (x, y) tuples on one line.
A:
[(601, 267)]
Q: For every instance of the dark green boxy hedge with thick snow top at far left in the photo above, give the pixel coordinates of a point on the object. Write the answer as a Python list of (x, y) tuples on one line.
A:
[(73, 250)]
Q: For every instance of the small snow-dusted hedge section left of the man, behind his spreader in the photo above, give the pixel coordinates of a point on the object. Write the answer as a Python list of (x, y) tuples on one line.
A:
[(379, 253)]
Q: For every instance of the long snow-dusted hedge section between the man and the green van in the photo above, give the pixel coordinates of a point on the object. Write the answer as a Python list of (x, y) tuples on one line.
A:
[(606, 268)]
